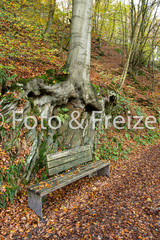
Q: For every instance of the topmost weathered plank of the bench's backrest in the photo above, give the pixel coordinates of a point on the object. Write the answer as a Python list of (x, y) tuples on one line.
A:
[(73, 151)]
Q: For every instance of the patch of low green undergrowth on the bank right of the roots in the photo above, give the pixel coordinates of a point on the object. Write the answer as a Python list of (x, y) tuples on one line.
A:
[(114, 143)]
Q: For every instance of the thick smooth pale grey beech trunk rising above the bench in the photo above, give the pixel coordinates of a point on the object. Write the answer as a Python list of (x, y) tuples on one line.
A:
[(78, 61)]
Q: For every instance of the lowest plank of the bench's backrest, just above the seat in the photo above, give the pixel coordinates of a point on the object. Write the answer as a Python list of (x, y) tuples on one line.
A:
[(68, 165)]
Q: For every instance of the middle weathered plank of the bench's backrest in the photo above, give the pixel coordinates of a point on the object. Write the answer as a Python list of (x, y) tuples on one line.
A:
[(66, 159)]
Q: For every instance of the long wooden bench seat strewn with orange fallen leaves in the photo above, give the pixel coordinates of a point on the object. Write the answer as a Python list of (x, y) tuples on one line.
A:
[(45, 187)]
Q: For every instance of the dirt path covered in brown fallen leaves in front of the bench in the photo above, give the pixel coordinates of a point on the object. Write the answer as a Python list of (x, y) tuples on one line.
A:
[(126, 206)]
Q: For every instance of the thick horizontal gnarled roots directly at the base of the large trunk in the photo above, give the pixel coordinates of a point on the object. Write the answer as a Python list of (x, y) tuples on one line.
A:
[(60, 93)]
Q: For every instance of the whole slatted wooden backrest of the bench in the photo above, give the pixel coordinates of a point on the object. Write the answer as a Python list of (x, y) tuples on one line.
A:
[(61, 161)]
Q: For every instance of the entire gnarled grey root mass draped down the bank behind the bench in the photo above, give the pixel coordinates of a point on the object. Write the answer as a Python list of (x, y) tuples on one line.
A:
[(39, 99)]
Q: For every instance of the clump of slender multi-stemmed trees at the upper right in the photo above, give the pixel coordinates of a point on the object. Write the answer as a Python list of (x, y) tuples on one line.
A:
[(147, 10)]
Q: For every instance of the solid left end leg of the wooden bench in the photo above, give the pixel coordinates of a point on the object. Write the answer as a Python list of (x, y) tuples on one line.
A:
[(35, 203)]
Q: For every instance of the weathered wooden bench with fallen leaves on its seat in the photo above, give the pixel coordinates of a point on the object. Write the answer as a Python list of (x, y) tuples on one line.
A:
[(80, 164)]
